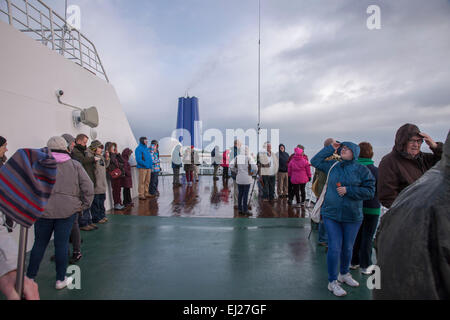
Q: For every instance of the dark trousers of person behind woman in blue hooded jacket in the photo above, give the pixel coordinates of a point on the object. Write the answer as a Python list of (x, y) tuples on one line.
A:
[(362, 250)]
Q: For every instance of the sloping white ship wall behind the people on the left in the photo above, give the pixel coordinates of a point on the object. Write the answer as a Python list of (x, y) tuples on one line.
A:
[(30, 114)]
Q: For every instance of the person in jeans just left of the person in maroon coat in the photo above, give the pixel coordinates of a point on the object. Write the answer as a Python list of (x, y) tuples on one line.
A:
[(102, 163)]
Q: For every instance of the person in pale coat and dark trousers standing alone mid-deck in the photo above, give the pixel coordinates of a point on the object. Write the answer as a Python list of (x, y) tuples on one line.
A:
[(245, 166)]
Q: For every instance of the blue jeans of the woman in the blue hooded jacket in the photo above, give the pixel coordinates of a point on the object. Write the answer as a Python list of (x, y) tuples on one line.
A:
[(341, 238)]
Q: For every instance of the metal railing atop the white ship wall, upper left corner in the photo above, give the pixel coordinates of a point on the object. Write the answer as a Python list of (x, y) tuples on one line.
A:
[(44, 25)]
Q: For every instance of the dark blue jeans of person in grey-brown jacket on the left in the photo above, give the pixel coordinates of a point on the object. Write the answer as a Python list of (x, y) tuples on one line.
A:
[(43, 229)]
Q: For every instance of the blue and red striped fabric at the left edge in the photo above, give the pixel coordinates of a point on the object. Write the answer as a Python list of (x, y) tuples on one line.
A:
[(26, 182)]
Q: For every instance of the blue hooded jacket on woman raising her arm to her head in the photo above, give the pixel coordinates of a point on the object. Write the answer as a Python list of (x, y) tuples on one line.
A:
[(357, 179)]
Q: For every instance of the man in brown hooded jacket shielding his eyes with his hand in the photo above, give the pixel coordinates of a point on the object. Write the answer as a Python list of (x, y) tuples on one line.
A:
[(406, 163)]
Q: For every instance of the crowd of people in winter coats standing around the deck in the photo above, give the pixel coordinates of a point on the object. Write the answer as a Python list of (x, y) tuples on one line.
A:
[(353, 186)]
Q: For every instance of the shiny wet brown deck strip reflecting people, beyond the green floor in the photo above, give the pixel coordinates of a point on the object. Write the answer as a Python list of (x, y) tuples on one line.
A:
[(207, 198)]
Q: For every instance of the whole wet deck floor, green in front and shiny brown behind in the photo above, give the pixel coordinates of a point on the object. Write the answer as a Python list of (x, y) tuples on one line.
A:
[(155, 252)]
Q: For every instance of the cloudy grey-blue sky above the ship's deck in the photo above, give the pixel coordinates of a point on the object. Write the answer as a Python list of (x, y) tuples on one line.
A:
[(324, 73)]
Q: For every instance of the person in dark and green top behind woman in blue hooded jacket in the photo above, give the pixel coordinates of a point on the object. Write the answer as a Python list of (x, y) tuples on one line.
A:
[(362, 249)]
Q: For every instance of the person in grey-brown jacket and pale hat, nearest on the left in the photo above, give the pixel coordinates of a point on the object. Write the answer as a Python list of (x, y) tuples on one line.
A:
[(73, 192)]
